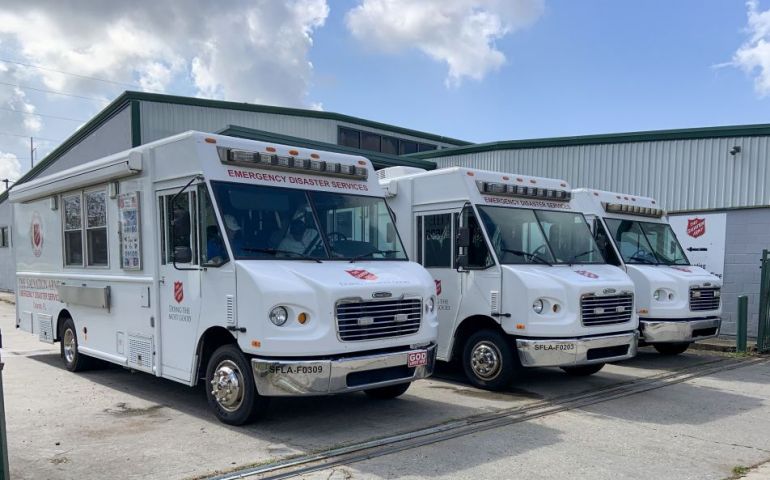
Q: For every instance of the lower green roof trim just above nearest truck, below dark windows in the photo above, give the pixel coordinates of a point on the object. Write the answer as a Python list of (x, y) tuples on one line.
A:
[(380, 160)]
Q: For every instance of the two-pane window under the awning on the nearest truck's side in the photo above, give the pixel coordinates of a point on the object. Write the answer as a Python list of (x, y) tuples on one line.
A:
[(85, 238)]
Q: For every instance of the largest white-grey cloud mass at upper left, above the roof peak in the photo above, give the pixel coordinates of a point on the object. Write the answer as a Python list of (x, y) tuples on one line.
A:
[(246, 50)]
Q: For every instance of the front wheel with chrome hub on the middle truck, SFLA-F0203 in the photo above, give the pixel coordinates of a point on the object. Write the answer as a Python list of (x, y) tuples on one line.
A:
[(488, 360)]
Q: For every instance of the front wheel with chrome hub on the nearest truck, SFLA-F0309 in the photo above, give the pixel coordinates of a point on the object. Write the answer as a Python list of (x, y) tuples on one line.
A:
[(230, 387)]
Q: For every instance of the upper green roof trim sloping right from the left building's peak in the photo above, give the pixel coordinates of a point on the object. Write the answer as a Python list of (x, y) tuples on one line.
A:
[(297, 112)]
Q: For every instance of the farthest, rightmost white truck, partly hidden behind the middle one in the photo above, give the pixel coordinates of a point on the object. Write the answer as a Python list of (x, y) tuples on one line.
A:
[(678, 303)]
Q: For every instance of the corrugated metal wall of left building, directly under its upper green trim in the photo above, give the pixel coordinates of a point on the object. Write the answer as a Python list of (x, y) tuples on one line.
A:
[(161, 120)]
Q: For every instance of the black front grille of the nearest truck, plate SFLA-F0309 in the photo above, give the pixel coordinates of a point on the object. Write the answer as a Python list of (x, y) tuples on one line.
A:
[(364, 320)]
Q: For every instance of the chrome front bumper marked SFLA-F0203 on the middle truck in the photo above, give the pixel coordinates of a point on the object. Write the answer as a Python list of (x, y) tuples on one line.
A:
[(568, 352)]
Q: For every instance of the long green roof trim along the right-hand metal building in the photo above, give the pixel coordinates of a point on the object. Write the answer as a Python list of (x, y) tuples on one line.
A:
[(629, 137)]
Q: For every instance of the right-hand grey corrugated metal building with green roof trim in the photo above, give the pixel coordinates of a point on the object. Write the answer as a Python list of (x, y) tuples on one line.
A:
[(720, 174)]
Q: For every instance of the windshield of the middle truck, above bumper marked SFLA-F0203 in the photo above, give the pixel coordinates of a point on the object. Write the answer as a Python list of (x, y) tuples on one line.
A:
[(539, 236)]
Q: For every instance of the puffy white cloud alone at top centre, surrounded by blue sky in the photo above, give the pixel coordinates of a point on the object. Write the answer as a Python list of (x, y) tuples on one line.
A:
[(461, 33)]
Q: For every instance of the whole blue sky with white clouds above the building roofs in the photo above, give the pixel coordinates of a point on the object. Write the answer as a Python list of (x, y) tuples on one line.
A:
[(542, 67)]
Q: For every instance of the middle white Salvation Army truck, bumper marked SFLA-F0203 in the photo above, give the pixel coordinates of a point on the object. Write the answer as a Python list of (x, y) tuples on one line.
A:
[(519, 279)]
